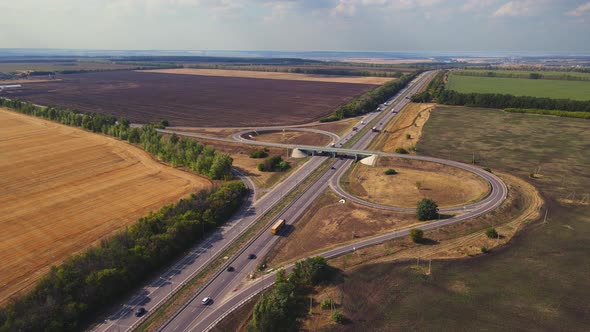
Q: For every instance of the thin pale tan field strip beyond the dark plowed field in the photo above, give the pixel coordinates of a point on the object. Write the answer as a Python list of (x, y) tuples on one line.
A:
[(274, 75)]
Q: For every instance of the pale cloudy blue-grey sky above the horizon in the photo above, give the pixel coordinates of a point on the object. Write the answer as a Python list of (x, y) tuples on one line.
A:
[(299, 25)]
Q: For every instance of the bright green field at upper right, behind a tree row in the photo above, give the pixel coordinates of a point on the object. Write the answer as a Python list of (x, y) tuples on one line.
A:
[(557, 89)]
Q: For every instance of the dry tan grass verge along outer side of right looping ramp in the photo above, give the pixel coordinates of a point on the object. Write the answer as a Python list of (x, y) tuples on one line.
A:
[(457, 241)]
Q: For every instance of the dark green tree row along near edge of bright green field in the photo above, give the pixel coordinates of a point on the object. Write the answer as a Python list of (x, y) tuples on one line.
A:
[(436, 92)]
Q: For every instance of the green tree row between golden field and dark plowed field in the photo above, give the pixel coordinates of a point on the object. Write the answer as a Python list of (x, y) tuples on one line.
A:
[(177, 151)]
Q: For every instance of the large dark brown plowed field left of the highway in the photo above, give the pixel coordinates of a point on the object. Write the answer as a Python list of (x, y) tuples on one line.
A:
[(192, 100)]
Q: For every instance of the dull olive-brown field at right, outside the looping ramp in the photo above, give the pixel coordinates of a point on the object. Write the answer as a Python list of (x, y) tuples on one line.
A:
[(537, 283)]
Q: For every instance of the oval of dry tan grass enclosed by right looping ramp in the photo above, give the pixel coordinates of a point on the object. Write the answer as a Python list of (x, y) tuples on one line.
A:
[(447, 186)]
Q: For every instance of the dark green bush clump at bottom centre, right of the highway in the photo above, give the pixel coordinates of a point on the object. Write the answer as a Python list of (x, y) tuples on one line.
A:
[(279, 309)]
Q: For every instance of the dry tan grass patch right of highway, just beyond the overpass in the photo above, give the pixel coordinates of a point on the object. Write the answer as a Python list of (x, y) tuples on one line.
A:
[(409, 121)]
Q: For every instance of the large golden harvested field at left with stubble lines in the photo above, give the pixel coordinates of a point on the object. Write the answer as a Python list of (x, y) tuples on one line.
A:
[(63, 189)]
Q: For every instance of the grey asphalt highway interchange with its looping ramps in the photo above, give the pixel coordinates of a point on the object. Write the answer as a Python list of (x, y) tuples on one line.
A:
[(229, 289)]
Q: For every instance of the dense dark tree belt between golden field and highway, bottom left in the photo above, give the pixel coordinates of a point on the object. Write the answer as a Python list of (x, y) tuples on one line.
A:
[(85, 285)]
